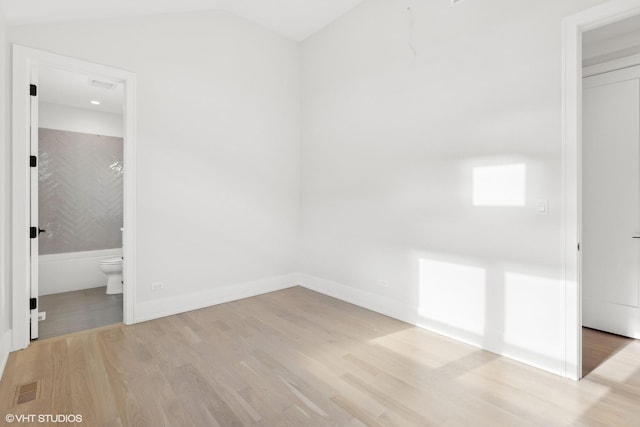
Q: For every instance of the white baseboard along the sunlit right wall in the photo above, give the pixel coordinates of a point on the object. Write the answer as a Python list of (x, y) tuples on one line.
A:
[(409, 314)]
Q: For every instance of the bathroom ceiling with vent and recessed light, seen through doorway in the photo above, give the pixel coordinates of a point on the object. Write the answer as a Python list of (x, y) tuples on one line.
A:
[(73, 90)]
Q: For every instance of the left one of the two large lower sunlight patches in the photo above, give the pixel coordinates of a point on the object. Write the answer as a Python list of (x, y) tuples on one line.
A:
[(453, 295)]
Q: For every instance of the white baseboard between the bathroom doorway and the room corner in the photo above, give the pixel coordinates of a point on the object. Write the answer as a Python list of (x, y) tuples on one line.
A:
[(149, 310)]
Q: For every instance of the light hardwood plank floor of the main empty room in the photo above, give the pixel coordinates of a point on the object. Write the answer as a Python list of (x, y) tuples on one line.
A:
[(298, 358)]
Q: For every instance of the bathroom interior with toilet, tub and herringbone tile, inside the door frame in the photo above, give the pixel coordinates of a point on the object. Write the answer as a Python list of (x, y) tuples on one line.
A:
[(80, 202)]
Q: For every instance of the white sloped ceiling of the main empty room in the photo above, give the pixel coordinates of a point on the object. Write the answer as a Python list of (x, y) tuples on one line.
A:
[(296, 19)]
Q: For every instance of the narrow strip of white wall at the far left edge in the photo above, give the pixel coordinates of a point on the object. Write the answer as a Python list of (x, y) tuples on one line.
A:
[(5, 292)]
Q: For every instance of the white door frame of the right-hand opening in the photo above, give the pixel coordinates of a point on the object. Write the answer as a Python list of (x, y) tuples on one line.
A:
[(573, 27)]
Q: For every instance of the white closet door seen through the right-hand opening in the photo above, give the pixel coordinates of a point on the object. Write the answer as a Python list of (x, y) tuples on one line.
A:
[(611, 202)]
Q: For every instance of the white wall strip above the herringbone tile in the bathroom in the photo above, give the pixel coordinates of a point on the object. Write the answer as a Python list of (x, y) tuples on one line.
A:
[(62, 117)]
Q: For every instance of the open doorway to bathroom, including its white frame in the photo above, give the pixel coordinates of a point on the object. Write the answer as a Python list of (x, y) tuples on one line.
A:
[(74, 193)]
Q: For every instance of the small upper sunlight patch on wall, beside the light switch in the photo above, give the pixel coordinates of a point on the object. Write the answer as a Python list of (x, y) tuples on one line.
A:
[(502, 185)]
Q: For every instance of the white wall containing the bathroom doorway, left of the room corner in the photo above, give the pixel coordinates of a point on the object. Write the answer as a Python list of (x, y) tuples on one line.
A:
[(218, 144)]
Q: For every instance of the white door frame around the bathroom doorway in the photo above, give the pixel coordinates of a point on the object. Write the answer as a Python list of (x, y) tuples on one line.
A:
[(26, 59)]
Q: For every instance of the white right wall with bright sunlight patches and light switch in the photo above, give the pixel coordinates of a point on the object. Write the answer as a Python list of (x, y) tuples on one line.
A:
[(421, 174)]
